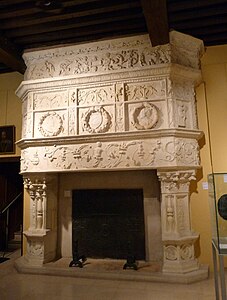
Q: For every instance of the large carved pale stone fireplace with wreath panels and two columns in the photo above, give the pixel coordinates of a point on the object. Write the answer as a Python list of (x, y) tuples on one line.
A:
[(119, 105)]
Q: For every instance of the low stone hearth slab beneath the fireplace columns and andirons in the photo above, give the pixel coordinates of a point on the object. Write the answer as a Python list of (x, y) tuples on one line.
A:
[(112, 270)]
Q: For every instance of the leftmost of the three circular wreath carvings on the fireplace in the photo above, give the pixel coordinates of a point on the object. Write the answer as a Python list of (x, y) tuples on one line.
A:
[(50, 124)]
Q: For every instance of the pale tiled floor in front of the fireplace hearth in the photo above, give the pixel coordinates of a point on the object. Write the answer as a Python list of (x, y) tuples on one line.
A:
[(14, 286)]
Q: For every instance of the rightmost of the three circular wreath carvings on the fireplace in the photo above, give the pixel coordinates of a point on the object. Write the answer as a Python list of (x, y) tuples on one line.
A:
[(145, 116)]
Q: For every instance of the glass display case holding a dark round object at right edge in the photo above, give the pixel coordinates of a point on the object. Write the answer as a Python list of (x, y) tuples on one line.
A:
[(217, 184)]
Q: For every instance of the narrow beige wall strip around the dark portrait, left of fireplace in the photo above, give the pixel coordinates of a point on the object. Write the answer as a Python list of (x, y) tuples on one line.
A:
[(10, 104)]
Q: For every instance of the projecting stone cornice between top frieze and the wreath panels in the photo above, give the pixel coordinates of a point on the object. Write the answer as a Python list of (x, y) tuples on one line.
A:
[(173, 71)]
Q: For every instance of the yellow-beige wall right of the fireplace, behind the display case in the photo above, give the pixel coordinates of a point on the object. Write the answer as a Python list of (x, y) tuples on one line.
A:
[(212, 117)]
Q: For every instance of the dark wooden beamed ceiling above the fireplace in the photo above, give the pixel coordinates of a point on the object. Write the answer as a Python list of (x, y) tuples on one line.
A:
[(26, 24)]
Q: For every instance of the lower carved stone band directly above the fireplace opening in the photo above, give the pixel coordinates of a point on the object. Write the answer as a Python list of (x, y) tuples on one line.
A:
[(146, 153)]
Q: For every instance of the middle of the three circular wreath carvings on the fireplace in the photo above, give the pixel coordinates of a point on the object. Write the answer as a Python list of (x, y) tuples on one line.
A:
[(97, 120)]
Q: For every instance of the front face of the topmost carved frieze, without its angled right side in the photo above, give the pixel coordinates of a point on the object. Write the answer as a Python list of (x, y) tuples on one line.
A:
[(101, 61)]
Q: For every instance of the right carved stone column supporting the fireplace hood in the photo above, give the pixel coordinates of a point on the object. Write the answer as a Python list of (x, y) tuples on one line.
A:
[(177, 237)]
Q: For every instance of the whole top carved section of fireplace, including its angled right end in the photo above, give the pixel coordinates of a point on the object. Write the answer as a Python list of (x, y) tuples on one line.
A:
[(132, 53)]
